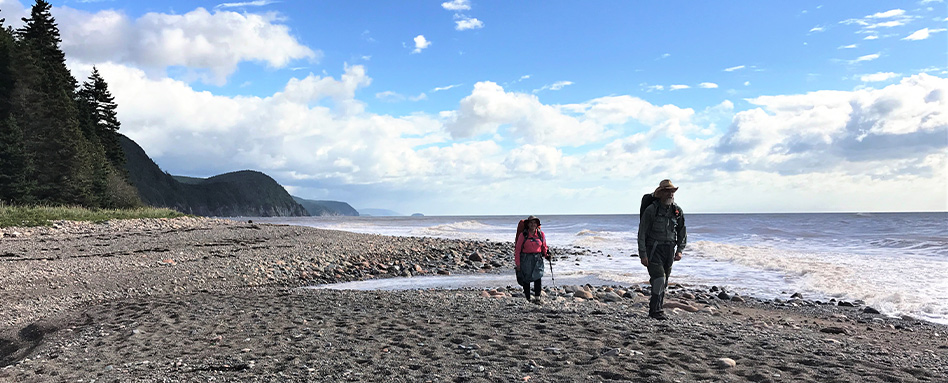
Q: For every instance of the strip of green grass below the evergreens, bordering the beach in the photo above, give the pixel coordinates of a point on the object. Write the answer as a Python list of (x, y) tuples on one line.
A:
[(44, 215)]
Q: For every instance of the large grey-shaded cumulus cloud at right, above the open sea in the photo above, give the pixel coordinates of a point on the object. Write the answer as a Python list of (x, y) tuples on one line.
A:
[(888, 132)]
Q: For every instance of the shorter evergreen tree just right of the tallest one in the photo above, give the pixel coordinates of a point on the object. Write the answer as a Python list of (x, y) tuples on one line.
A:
[(102, 119)]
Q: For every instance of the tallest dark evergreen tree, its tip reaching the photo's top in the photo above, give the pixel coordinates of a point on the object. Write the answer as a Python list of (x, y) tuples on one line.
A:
[(45, 107)]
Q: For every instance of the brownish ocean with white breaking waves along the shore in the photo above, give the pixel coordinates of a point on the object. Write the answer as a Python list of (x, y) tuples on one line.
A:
[(894, 262)]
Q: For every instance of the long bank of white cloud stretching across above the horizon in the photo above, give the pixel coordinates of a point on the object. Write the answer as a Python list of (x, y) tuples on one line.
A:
[(314, 136)]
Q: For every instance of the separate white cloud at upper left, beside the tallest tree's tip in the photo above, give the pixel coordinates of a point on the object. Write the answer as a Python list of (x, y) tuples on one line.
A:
[(211, 45)]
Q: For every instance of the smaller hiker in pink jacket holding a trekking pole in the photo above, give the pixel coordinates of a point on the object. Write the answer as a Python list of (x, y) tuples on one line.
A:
[(529, 252)]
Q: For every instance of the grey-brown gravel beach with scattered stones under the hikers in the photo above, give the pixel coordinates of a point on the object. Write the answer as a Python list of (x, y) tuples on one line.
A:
[(194, 299)]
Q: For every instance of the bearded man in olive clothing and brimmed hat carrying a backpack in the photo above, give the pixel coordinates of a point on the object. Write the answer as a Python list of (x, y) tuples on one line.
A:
[(662, 239)]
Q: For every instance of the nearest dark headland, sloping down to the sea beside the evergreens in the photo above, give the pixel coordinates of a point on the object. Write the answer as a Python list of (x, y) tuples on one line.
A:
[(243, 193)]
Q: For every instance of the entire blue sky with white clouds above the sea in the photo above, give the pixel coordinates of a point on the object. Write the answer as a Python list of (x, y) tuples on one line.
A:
[(472, 107)]
